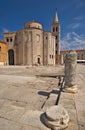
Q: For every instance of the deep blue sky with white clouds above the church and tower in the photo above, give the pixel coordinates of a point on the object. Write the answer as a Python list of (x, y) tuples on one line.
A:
[(71, 14)]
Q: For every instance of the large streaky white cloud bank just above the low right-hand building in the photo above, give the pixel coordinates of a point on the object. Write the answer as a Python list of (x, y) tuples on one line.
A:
[(73, 41)]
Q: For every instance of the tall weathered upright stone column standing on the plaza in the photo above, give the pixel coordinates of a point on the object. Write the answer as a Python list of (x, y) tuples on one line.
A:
[(70, 72)]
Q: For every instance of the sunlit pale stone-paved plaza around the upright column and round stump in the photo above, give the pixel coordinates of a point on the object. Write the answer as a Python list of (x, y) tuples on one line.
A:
[(26, 92)]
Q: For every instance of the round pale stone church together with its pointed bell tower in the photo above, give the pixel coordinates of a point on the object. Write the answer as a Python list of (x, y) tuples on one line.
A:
[(32, 45)]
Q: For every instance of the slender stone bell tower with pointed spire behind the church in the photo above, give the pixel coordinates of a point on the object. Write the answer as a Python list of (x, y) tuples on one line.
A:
[(56, 32)]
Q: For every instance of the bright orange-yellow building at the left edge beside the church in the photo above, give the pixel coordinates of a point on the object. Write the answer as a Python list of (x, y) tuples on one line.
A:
[(3, 53)]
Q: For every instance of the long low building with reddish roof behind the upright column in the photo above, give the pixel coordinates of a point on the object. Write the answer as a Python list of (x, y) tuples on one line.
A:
[(80, 54)]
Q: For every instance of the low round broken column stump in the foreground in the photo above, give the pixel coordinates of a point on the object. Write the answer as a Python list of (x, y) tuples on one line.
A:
[(56, 118)]
